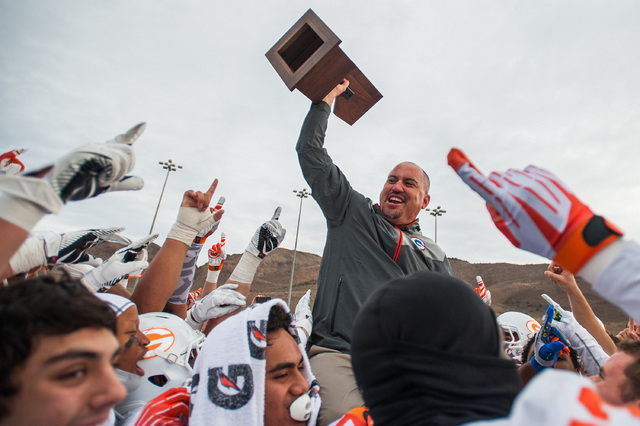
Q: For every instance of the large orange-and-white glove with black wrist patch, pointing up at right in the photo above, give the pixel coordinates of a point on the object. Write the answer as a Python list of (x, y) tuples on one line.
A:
[(538, 213)]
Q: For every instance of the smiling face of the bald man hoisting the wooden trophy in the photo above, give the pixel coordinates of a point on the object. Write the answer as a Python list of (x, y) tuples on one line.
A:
[(403, 194)]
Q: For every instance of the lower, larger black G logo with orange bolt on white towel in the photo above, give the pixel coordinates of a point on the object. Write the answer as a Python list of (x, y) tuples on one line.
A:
[(232, 390)]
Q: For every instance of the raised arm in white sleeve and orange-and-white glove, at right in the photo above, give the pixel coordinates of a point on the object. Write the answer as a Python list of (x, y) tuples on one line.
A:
[(538, 213)]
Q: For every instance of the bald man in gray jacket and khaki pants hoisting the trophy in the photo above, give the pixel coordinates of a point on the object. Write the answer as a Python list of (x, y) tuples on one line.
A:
[(367, 245)]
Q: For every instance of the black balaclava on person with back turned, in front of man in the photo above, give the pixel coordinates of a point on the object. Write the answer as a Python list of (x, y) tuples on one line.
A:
[(426, 351)]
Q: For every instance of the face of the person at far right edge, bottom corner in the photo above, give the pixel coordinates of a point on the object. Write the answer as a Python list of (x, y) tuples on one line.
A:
[(611, 382)]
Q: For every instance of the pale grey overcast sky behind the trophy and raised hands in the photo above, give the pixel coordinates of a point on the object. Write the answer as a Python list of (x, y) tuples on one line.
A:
[(550, 83)]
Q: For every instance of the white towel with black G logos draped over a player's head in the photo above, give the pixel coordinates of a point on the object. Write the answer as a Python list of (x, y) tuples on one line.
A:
[(229, 374)]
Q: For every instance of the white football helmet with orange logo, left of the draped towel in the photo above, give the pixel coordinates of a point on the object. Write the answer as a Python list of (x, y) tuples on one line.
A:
[(169, 363)]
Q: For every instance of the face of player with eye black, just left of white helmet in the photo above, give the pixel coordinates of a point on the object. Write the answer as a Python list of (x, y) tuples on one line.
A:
[(133, 343)]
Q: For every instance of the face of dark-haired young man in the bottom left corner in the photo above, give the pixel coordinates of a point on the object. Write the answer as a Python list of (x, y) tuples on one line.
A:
[(68, 380)]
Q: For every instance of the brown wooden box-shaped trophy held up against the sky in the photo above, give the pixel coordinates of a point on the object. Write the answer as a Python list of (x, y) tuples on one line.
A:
[(308, 58)]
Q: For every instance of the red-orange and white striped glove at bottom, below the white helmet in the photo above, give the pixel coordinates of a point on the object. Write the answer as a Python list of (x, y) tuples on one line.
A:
[(170, 408)]
